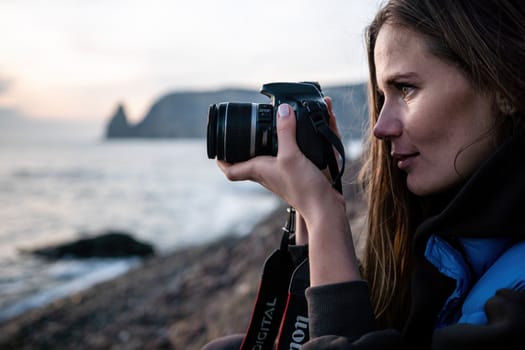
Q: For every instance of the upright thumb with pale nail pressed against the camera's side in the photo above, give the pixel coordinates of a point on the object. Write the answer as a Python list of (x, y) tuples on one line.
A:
[(286, 131)]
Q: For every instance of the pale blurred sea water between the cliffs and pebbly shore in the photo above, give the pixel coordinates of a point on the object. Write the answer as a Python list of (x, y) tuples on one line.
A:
[(61, 181)]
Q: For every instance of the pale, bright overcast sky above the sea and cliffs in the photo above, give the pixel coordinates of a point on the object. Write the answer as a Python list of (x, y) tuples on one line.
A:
[(77, 59)]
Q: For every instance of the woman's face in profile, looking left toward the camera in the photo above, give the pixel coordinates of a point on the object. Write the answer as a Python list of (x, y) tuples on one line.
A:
[(439, 128)]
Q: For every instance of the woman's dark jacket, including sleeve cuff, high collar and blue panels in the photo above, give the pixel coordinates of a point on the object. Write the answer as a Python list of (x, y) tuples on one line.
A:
[(488, 211)]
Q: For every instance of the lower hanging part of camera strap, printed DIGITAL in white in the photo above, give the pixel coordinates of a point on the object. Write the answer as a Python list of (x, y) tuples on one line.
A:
[(280, 314)]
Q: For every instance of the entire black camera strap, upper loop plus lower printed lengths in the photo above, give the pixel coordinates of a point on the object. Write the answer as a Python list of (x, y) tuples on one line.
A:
[(279, 317)]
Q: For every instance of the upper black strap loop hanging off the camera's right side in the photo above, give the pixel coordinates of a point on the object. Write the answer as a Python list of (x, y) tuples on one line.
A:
[(317, 113)]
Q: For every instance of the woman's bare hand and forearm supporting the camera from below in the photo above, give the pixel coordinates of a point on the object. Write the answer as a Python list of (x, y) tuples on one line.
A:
[(301, 184)]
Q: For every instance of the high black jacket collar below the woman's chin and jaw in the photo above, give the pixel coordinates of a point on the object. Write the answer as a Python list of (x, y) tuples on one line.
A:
[(491, 203)]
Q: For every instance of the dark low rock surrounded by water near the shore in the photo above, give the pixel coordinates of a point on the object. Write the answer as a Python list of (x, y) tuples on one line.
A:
[(111, 244)]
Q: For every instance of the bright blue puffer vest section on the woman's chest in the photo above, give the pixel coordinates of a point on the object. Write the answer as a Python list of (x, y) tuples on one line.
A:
[(480, 268)]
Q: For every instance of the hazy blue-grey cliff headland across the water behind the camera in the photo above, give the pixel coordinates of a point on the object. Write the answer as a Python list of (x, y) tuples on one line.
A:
[(184, 114)]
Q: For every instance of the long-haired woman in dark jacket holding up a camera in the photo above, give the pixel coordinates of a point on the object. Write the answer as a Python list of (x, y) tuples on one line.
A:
[(444, 176)]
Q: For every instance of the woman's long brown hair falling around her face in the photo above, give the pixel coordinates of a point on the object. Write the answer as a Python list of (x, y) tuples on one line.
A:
[(486, 40)]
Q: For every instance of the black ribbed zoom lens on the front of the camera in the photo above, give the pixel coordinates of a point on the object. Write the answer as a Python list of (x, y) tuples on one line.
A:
[(240, 131)]
